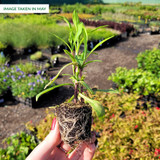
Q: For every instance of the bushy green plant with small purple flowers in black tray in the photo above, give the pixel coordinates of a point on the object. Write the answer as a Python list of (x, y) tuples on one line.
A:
[(26, 88)]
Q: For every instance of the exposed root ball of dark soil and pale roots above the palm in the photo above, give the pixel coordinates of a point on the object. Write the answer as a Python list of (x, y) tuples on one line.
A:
[(74, 122)]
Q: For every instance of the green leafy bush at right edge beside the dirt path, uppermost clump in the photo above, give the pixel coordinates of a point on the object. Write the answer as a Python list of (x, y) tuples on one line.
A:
[(149, 60)]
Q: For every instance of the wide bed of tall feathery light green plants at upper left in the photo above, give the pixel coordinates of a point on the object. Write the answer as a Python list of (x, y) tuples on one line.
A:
[(34, 30)]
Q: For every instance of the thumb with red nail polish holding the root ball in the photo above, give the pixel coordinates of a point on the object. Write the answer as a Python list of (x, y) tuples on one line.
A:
[(43, 150)]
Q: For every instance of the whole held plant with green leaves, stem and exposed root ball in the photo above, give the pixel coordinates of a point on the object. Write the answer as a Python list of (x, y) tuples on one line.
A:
[(75, 116)]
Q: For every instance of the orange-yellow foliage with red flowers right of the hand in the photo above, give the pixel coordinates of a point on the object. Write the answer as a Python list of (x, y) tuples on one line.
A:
[(135, 135)]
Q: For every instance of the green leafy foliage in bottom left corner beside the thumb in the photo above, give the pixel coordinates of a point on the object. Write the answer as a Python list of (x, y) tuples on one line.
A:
[(18, 146)]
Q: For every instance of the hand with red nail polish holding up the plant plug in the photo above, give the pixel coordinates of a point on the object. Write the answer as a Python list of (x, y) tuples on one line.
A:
[(52, 148)]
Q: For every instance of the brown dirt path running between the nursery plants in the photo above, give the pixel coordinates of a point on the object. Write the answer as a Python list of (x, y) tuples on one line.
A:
[(13, 117)]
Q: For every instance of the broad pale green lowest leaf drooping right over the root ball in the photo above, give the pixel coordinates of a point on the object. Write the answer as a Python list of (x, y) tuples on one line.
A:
[(98, 108)]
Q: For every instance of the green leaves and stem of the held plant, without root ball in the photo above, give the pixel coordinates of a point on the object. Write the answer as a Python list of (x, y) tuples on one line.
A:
[(78, 36)]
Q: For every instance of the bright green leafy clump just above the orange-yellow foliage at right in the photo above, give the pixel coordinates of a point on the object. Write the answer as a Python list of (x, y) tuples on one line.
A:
[(136, 81)]
